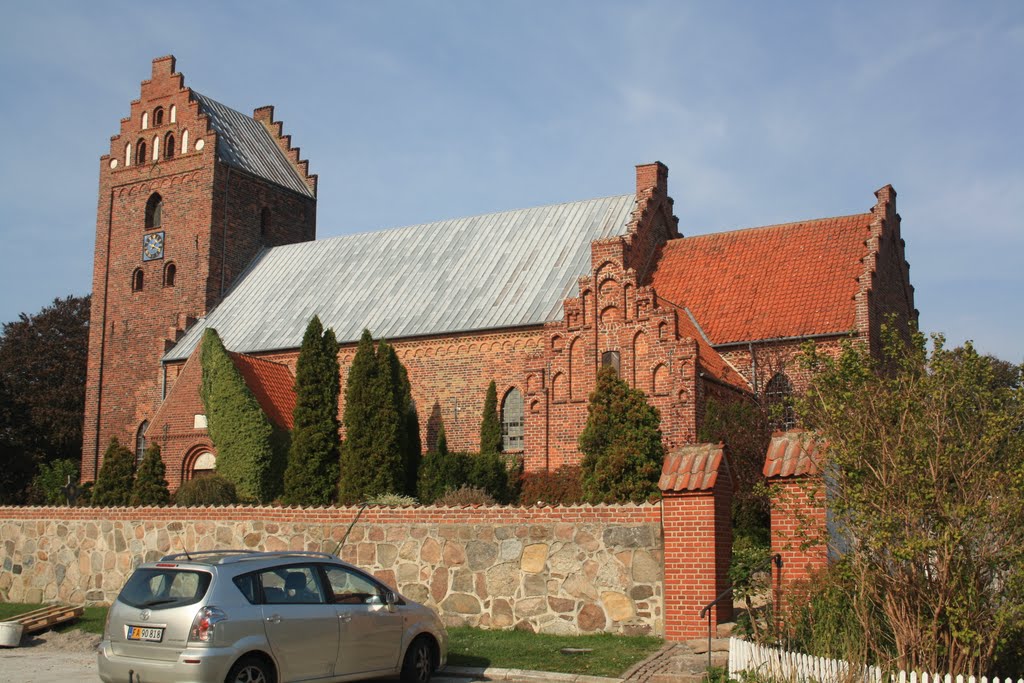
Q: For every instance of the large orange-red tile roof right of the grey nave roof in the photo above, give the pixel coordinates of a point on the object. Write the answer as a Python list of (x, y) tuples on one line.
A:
[(765, 283)]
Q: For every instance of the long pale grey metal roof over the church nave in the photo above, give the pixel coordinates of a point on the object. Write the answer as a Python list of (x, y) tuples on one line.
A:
[(497, 271)]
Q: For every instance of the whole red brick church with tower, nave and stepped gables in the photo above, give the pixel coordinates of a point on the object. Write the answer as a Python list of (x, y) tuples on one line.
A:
[(207, 219)]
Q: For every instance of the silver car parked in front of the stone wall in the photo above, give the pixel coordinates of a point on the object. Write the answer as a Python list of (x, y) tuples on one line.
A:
[(239, 617)]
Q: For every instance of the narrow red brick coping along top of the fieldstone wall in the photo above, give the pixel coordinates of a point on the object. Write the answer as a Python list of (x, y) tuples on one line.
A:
[(626, 514)]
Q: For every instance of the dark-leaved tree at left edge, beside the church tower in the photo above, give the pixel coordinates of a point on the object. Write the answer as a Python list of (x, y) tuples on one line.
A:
[(42, 392)]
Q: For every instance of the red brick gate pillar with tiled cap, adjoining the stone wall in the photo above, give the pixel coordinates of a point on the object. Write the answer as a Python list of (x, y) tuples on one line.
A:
[(697, 508)]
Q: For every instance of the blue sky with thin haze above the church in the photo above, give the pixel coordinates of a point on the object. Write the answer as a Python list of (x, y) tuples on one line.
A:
[(412, 112)]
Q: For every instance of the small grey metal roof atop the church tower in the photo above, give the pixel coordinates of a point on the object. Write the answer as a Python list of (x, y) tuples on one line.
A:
[(245, 144)]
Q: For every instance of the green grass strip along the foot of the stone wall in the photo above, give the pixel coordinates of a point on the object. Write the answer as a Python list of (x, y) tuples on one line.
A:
[(611, 656)]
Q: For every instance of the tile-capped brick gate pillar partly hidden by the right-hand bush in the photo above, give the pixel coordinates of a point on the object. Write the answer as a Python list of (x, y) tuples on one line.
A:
[(799, 527)]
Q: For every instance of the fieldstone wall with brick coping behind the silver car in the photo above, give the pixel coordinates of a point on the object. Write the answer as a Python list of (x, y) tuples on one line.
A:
[(574, 570)]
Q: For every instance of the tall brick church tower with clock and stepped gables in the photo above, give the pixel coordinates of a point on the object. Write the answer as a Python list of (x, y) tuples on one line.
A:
[(191, 193)]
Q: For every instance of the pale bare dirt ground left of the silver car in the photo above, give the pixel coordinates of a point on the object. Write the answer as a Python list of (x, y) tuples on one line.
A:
[(52, 658)]
